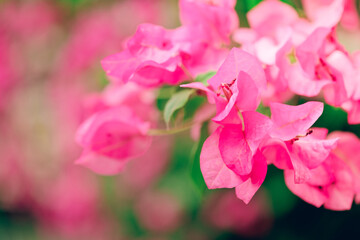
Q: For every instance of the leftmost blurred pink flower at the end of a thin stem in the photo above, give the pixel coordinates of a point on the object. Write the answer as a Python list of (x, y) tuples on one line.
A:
[(115, 133)]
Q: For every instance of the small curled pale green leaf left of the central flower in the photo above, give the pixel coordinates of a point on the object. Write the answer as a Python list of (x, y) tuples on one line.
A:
[(177, 101)]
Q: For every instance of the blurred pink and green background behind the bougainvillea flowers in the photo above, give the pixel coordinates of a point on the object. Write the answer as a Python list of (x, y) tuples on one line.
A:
[(50, 53)]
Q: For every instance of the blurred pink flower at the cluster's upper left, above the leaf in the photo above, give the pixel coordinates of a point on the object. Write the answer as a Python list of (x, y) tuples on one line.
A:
[(150, 58)]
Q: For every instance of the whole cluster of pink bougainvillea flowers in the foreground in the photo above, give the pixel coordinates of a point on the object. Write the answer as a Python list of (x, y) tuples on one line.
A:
[(281, 55)]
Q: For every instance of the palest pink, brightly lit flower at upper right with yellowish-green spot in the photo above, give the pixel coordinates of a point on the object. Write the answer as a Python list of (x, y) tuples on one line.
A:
[(295, 50)]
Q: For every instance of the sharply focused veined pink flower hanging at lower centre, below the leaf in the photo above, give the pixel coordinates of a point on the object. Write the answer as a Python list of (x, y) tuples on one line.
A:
[(230, 156)]
